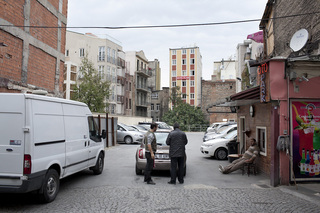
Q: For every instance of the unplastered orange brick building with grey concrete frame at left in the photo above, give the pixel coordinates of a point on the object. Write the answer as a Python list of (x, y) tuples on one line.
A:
[(32, 45)]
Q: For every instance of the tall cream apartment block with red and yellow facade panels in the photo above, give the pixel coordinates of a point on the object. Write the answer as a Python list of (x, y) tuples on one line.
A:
[(186, 73)]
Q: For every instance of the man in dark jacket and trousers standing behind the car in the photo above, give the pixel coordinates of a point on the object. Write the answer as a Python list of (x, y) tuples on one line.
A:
[(177, 141)]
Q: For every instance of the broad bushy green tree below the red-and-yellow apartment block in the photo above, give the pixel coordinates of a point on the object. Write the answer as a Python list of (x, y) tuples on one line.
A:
[(183, 113)]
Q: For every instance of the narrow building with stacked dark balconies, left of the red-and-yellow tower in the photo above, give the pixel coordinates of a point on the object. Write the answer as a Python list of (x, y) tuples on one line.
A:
[(138, 67)]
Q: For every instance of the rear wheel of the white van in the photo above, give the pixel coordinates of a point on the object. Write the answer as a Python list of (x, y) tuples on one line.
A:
[(50, 186)]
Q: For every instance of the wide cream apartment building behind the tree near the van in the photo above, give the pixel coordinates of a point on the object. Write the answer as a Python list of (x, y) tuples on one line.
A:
[(108, 58)]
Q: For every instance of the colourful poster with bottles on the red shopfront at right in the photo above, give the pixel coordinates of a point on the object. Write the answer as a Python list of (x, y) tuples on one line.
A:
[(305, 124)]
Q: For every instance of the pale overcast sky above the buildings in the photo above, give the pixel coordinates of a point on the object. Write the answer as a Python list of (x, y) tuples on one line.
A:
[(215, 41)]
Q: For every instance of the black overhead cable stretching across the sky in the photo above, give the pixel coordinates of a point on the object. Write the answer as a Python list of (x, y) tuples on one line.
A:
[(167, 26)]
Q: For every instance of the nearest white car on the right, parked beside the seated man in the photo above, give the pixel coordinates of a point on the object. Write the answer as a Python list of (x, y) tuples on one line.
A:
[(218, 147)]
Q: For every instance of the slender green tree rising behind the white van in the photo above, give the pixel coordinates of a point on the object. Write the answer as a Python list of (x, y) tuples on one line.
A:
[(90, 88)]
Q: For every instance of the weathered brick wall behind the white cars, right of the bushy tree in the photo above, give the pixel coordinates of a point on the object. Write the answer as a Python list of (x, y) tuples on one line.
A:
[(217, 91)]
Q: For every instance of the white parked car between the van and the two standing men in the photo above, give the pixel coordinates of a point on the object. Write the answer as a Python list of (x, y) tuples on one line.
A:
[(128, 134)]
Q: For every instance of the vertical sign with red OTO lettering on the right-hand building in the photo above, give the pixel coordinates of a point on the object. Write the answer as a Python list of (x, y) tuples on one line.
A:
[(263, 76)]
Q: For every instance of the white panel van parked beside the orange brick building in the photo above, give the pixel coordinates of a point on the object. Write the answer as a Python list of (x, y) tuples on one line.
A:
[(44, 139)]
